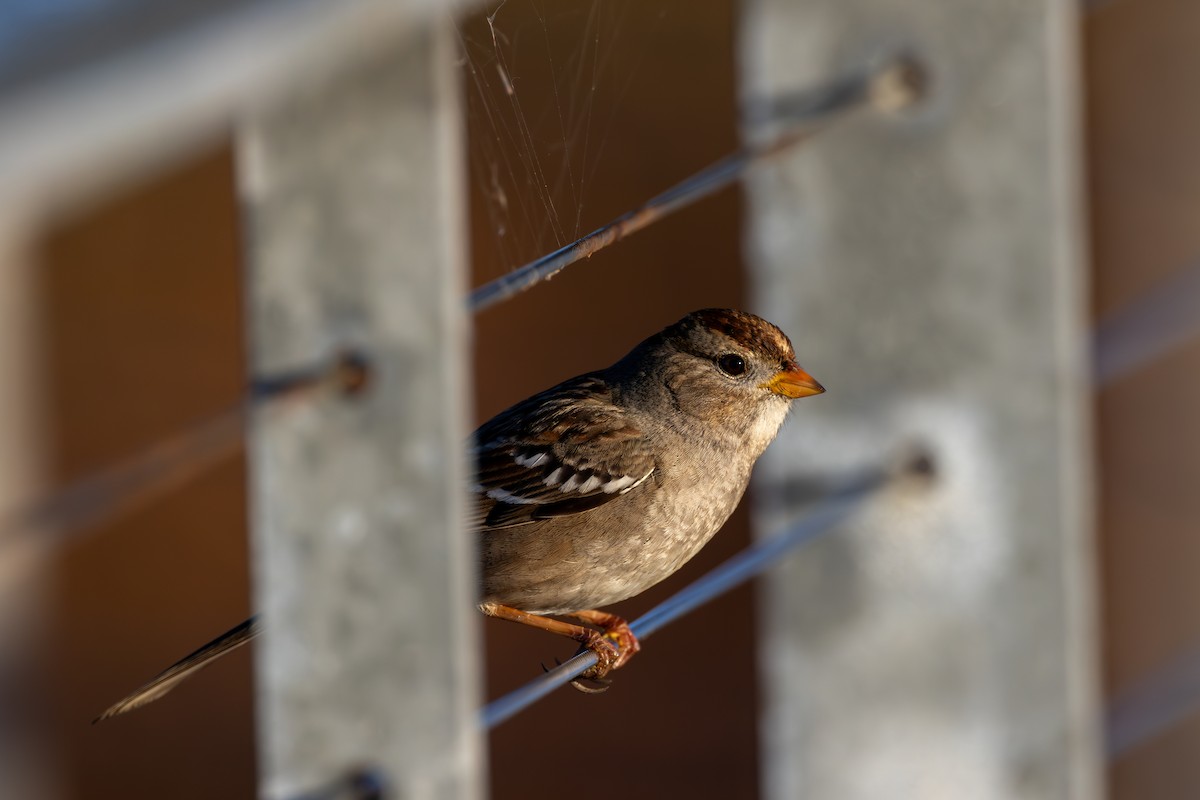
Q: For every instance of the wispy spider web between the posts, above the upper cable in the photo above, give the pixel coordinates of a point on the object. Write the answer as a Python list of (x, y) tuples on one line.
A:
[(545, 82)]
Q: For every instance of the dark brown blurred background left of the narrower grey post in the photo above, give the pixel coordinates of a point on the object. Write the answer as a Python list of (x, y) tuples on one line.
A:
[(141, 304)]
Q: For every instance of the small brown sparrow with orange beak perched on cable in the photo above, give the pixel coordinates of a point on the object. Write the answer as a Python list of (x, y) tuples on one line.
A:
[(598, 489)]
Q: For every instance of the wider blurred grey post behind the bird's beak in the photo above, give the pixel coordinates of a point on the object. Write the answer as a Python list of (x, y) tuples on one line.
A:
[(929, 269)]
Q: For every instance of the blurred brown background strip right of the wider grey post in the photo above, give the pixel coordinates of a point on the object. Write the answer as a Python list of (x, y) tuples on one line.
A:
[(1144, 166)]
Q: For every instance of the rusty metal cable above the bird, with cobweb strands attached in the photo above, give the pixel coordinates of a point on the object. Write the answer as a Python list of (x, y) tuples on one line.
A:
[(897, 85)]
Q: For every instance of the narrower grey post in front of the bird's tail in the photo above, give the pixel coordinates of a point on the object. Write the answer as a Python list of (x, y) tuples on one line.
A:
[(364, 573)]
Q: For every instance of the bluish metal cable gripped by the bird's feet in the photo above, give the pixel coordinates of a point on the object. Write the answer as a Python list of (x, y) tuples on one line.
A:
[(826, 514)]
